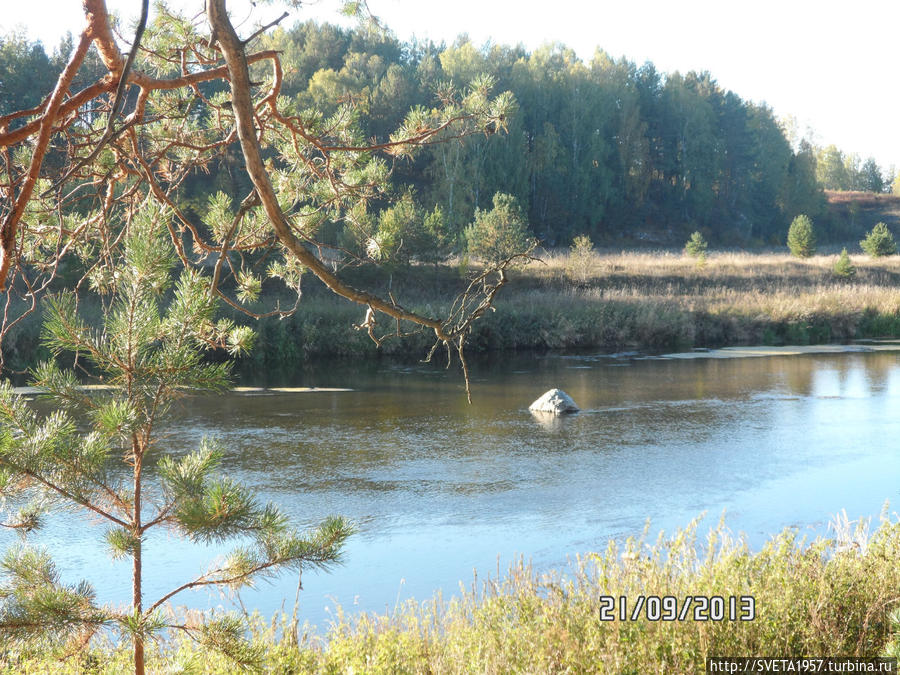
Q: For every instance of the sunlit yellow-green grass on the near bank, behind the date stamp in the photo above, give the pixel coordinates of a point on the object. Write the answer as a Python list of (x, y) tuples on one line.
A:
[(792, 598)]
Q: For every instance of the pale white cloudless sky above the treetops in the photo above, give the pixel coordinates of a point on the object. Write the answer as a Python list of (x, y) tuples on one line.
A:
[(830, 65)]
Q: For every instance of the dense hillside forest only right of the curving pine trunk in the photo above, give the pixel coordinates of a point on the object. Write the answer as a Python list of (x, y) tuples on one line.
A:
[(557, 158)]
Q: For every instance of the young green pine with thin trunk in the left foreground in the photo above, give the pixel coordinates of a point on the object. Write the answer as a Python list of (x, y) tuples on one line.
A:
[(149, 353)]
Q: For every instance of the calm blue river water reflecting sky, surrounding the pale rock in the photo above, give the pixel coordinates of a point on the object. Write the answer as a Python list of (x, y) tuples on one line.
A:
[(438, 488)]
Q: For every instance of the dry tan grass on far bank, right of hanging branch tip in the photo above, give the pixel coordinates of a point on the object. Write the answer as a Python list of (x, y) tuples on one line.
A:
[(660, 301)]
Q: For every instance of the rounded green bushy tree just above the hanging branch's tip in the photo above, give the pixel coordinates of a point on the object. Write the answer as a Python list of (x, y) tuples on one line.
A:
[(499, 233)]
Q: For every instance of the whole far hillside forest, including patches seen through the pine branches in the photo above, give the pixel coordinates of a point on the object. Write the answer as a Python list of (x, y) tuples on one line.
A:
[(610, 149)]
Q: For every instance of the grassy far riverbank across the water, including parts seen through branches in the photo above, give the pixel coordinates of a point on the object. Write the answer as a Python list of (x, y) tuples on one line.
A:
[(603, 301)]
